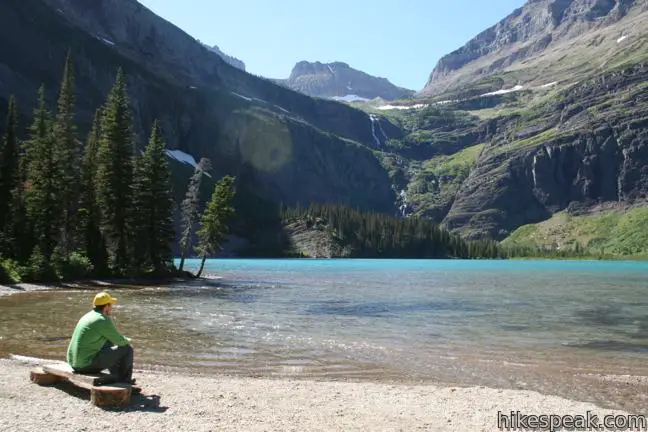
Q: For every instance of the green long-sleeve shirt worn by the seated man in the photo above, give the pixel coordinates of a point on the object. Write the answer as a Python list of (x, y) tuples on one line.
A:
[(91, 333)]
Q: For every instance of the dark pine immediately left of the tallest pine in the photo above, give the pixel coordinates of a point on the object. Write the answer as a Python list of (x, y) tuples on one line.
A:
[(43, 210)]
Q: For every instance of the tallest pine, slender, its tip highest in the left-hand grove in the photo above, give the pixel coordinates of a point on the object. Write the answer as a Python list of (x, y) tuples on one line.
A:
[(67, 152)]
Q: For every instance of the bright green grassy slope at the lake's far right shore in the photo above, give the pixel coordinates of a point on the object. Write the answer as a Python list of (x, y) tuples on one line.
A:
[(610, 232)]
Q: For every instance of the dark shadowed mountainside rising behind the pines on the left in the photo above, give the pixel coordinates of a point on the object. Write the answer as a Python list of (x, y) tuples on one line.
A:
[(300, 150)]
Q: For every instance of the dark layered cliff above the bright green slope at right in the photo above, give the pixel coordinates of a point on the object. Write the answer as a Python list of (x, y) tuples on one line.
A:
[(585, 146)]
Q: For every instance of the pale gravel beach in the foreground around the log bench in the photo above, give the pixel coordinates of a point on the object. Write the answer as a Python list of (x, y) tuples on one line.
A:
[(223, 403)]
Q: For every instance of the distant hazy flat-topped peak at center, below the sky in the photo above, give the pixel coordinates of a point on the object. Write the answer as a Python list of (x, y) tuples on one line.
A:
[(340, 81)]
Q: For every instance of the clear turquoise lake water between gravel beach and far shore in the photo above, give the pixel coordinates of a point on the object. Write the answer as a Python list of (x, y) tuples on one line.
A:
[(549, 326)]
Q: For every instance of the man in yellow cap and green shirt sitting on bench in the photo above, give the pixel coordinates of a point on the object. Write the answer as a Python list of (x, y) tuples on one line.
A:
[(96, 343)]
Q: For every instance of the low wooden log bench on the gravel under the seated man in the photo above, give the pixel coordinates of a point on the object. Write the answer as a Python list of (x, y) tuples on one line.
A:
[(103, 390)]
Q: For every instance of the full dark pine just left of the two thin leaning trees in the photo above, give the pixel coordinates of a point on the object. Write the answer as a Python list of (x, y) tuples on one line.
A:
[(154, 205)]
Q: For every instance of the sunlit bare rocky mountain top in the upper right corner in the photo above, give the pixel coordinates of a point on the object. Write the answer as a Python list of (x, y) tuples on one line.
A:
[(543, 41)]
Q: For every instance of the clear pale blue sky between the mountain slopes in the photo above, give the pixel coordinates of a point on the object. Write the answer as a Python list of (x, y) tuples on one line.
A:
[(399, 40)]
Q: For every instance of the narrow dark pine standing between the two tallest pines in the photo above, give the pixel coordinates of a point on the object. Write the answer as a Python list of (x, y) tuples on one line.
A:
[(89, 212)]
